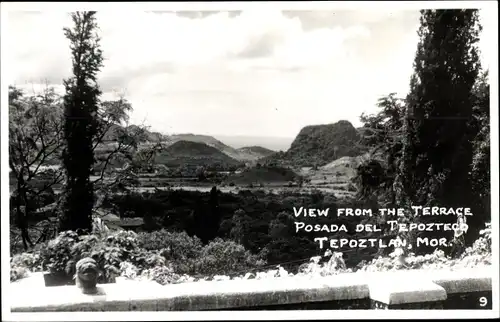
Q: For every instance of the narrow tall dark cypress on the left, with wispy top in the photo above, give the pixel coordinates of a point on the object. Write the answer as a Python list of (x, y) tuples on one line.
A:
[(80, 104)]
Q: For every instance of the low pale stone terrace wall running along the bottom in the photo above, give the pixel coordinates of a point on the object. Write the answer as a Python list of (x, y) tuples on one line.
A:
[(416, 289)]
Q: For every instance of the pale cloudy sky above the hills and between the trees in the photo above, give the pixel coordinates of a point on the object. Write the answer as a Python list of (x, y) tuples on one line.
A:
[(255, 72)]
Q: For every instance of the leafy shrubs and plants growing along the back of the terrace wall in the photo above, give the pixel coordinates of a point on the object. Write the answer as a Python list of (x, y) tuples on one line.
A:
[(170, 257)]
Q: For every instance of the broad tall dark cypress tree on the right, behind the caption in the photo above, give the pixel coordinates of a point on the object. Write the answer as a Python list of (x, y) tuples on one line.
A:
[(437, 152)]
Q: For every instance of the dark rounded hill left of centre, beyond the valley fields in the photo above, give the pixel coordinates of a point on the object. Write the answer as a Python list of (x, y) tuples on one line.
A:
[(194, 154)]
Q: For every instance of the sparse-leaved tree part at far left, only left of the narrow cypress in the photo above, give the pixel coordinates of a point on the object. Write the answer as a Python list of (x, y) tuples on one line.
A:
[(35, 142)]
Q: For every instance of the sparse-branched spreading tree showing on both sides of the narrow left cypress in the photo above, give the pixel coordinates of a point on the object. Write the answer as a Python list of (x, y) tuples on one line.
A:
[(36, 122)]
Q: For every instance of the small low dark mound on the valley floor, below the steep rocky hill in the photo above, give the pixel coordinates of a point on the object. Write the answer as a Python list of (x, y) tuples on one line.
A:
[(264, 175)]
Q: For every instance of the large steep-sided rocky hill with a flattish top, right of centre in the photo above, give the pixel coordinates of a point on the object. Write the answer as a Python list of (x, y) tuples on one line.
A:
[(317, 145)]
